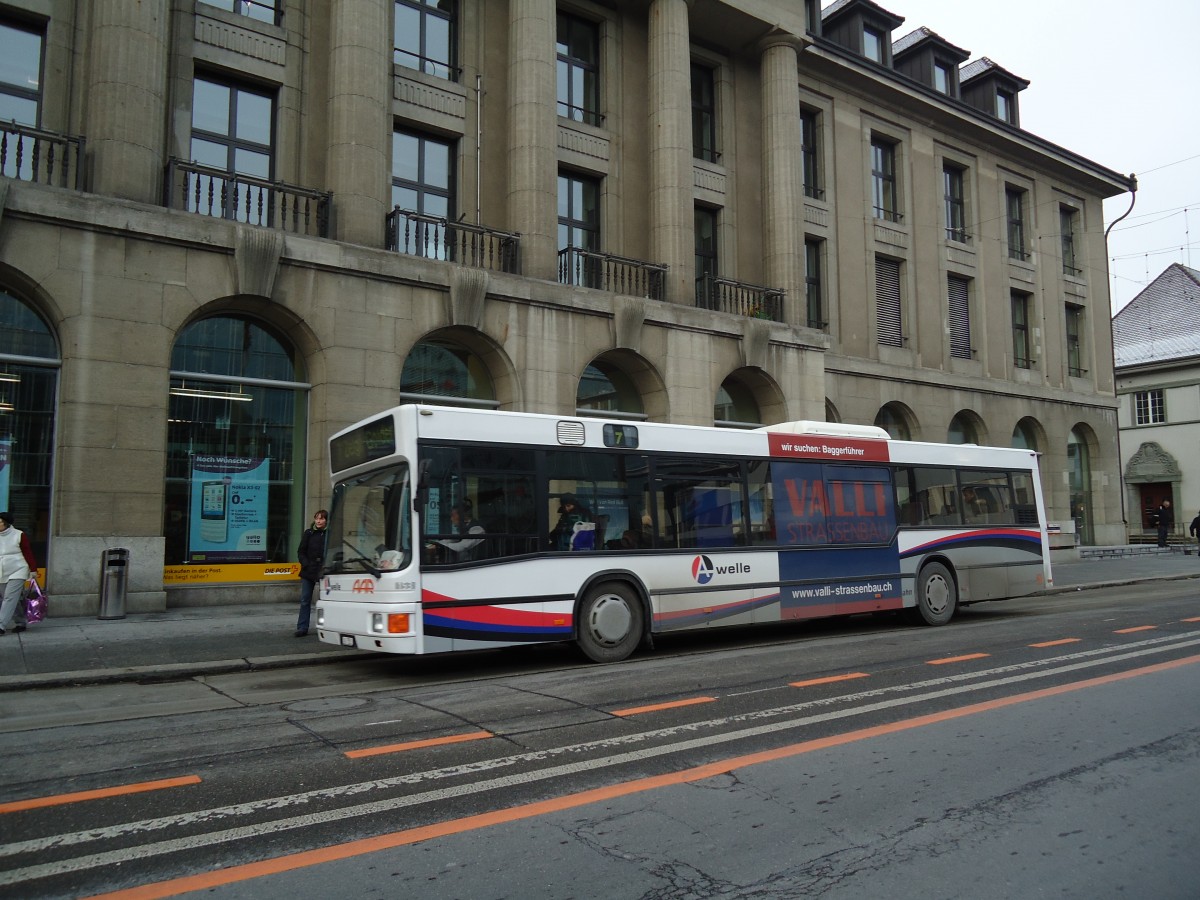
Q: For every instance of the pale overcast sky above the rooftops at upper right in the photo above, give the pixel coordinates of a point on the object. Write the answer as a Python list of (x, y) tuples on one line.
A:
[(1111, 81)]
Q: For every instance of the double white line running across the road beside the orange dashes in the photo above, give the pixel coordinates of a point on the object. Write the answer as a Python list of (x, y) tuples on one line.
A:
[(65, 867)]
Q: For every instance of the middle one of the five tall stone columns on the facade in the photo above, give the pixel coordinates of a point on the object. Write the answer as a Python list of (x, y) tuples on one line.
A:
[(533, 136)]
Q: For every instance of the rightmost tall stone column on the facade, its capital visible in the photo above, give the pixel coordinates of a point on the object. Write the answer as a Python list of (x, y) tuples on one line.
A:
[(783, 179)]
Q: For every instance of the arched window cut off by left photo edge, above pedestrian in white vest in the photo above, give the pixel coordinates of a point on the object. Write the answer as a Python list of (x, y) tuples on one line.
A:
[(29, 374)]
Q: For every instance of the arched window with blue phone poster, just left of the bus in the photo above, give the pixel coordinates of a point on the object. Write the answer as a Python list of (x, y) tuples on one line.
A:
[(236, 446)]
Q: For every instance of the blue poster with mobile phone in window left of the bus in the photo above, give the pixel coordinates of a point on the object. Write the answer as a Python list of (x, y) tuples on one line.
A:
[(227, 518)]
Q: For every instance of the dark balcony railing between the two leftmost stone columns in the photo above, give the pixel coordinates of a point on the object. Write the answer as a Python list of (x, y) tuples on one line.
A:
[(244, 199)]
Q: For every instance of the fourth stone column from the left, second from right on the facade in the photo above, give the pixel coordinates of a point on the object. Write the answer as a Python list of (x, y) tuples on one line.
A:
[(673, 220)]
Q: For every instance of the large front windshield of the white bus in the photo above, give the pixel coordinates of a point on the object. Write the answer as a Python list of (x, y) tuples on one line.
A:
[(370, 525)]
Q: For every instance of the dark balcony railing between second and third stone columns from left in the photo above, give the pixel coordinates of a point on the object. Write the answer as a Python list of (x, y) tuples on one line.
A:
[(434, 238)]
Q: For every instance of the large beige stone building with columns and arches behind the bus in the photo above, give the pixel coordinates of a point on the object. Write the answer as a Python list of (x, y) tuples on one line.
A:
[(232, 229)]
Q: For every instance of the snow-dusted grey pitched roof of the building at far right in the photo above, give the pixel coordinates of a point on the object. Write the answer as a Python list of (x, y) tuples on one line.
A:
[(1162, 323)]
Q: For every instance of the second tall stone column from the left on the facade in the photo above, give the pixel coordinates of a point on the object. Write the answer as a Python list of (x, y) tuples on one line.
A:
[(359, 119)]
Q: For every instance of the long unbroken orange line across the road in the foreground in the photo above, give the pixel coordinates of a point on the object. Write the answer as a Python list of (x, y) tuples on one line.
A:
[(208, 881)]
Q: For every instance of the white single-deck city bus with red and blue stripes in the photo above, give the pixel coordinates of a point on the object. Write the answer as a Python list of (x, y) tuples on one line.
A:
[(455, 529)]
